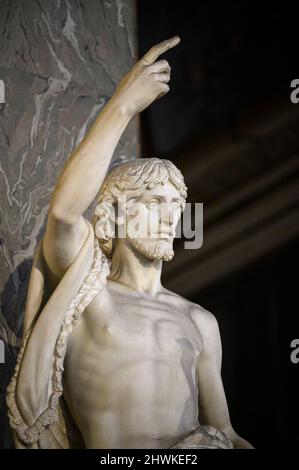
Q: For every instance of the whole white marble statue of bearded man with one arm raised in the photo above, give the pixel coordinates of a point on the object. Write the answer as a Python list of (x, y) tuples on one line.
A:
[(110, 358)]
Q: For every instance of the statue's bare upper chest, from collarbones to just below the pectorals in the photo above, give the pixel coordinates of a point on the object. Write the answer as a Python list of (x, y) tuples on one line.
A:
[(130, 326)]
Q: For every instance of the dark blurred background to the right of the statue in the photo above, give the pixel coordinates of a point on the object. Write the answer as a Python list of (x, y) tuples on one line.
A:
[(228, 119)]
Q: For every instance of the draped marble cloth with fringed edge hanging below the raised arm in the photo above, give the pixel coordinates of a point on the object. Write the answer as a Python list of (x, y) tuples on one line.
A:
[(35, 391)]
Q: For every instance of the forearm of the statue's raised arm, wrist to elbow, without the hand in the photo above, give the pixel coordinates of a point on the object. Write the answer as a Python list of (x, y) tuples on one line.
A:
[(87, 166)]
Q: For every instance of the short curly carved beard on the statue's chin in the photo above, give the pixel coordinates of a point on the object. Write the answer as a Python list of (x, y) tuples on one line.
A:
[(153, 249)]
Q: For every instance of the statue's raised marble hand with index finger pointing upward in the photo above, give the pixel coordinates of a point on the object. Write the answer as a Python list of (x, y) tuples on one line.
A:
[(147, 81)]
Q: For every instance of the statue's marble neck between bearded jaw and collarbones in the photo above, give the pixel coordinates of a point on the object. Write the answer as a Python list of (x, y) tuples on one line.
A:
[(135, 270)]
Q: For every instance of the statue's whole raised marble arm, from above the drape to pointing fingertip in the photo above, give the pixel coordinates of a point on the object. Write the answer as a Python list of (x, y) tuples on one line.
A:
[(86, 168)]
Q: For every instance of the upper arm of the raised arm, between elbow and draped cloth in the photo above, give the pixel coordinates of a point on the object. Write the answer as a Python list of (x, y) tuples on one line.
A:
[(62, 242)]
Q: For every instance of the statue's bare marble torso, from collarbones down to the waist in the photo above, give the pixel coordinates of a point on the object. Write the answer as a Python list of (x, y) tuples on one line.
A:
[(130, 370)]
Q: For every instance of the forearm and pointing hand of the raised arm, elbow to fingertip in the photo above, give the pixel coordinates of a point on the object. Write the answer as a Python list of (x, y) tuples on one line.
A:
[(86, 168)]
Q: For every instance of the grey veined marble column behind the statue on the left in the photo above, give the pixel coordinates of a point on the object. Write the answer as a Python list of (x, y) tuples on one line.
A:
[(60, 61)]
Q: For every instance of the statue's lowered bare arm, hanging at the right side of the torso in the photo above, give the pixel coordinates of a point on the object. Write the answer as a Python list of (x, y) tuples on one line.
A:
[(213, 409)]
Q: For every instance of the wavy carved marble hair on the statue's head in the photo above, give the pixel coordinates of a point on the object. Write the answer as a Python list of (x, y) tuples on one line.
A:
[(131, 179)]
